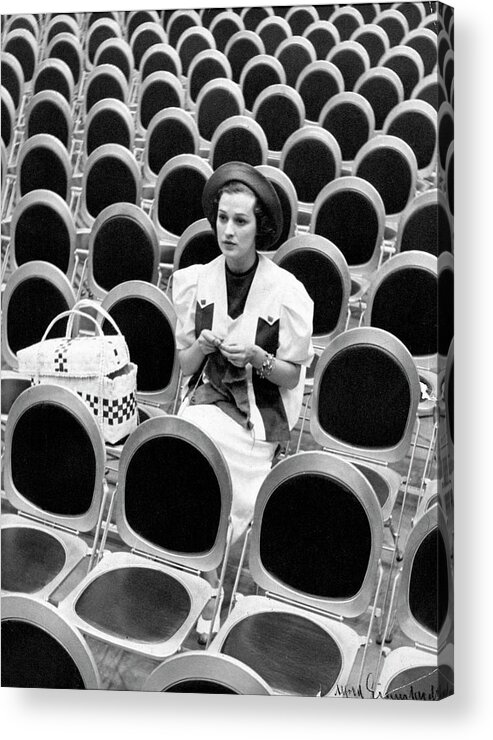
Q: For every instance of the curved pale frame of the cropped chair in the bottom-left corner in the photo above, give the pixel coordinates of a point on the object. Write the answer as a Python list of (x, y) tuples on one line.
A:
[(46, 617)]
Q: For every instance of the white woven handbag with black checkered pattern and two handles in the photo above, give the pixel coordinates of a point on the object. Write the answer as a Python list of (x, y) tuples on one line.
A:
[(97, 368)]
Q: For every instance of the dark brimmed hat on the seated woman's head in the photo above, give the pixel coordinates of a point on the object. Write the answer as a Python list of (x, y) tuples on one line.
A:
[(263, 189)]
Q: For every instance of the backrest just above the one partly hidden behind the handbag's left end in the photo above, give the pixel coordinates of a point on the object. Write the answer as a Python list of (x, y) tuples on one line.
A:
[(43, 228)]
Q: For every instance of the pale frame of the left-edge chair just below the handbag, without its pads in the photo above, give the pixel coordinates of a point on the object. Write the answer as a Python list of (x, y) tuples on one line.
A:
[(64, 529)]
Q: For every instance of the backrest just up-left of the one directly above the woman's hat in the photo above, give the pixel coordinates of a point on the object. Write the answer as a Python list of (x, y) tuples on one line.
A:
[(218, 100)]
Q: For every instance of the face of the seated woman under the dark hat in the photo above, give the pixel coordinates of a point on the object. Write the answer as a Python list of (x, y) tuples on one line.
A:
[(236, 230)]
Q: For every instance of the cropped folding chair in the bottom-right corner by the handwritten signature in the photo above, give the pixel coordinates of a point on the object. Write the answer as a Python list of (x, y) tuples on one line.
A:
[(423, 592)]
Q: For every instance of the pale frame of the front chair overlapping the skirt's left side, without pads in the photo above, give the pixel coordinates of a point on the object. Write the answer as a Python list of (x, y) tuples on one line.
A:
[(184, 568)]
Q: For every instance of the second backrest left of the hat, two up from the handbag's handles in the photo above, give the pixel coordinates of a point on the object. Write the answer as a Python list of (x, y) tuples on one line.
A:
[(111, 175)]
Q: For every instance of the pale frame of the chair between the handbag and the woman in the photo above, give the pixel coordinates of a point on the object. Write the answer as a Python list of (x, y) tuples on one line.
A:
[(153, 295)]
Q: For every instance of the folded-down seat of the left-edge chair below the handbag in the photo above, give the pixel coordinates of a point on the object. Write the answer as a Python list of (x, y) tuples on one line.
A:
[(35, 560)]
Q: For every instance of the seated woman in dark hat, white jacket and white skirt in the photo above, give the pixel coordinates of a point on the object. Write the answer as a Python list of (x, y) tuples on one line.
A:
[(243, 334)]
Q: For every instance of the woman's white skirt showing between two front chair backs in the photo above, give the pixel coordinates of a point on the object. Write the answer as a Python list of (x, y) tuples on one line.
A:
[(249, 460)]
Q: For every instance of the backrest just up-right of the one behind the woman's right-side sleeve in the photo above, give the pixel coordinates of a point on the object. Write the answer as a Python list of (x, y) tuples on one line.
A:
[(350, 213)]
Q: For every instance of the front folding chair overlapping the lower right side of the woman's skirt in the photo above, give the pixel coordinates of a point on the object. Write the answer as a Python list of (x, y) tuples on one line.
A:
[(312, 508)]
